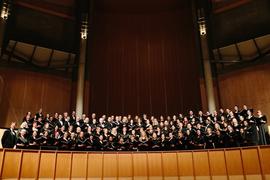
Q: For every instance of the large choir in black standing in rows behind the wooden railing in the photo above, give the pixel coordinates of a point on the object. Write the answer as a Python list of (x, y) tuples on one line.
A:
[(223, 129)]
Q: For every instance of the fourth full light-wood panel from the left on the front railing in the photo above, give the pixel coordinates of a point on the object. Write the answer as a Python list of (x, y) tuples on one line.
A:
[(63, 166)]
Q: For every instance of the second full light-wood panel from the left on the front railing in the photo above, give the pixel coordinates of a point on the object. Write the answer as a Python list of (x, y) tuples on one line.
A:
[(30, 163)]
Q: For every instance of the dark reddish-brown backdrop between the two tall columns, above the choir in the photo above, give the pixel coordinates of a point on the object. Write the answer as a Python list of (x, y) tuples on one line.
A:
[(143, 62)]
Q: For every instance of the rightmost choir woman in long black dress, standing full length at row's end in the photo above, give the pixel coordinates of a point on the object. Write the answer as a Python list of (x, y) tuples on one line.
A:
[(261, 122)]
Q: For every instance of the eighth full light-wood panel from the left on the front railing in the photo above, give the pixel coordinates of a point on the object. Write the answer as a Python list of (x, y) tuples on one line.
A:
[(125, 165)]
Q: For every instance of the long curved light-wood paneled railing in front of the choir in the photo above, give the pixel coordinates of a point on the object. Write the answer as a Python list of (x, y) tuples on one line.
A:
[(236, 163)]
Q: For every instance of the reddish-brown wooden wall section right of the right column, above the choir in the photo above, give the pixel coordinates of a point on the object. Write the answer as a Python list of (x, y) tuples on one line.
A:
[(248, 86)]
